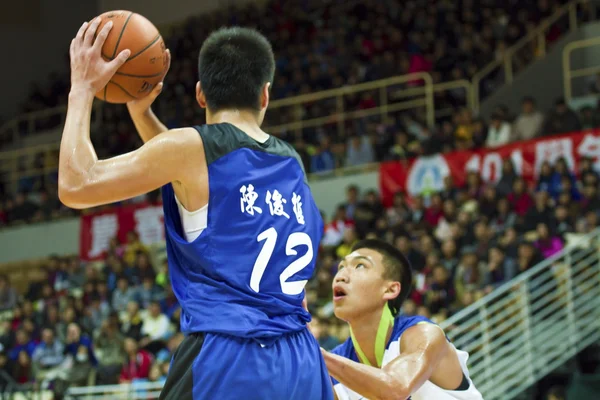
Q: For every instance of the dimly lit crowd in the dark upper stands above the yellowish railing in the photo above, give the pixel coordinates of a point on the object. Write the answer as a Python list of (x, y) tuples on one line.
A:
[(323, 45)]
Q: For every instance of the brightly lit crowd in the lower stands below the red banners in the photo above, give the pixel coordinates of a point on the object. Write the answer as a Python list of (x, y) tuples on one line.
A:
[(117, 321)]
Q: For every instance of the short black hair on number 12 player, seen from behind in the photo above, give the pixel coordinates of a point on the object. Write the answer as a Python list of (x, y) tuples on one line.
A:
[(233, 67)]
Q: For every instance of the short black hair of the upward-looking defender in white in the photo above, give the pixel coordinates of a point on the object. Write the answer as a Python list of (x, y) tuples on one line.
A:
[(396, 265)]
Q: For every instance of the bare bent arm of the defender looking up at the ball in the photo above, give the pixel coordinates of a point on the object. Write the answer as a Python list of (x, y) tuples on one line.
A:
[(422, 348)]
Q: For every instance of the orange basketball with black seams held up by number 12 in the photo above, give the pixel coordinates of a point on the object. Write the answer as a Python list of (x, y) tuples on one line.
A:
[(147, 63)]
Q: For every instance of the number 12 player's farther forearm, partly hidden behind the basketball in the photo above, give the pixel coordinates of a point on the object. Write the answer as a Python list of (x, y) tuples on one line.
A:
[(146, 122)]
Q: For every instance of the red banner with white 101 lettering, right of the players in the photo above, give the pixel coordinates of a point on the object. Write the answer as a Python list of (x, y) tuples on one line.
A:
[(426, 174)]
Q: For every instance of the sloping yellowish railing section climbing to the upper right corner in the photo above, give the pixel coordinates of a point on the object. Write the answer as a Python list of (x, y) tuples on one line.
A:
[(505, 65)]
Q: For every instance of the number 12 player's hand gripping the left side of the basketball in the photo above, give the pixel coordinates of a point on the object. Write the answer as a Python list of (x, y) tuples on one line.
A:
[(89, 71)]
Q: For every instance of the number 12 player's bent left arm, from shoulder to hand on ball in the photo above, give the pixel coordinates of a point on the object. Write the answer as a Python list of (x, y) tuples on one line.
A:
[(83, 180)]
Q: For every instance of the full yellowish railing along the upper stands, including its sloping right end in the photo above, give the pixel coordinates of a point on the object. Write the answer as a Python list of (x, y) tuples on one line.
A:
[(414, 91)]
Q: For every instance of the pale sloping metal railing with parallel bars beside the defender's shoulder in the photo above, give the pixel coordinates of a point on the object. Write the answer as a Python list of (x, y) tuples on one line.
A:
[(533, 324)]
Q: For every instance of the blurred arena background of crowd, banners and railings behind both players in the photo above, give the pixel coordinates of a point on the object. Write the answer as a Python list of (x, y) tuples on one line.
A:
[(464, 132)]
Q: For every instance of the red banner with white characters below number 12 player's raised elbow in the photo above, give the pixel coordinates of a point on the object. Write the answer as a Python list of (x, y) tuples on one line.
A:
[(97, 229)]
